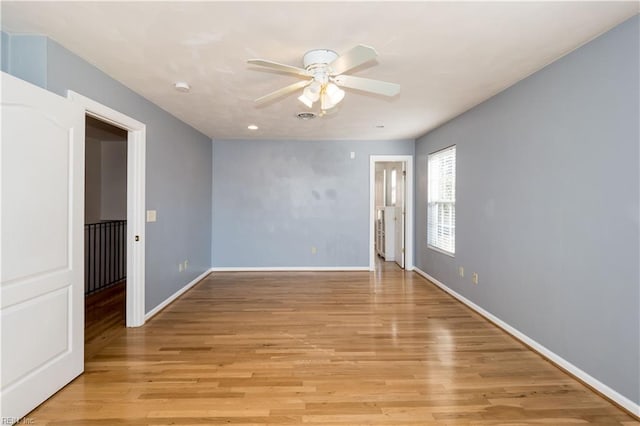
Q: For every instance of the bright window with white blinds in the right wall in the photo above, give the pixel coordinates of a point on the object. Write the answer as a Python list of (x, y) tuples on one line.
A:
[(441, 209)]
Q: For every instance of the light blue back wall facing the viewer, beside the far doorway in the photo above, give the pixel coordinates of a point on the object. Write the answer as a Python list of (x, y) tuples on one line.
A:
[(274, 200)]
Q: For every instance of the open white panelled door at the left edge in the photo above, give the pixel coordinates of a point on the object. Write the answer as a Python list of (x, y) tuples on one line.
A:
[(41, 278)]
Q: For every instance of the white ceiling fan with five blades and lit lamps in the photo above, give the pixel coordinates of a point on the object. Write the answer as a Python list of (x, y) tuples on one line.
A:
[(323, 75)]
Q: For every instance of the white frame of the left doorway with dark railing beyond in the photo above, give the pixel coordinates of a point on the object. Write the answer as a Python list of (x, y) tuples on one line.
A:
[(136, 163)]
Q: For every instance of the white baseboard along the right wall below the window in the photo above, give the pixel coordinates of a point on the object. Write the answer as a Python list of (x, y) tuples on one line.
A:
[(605, 390)]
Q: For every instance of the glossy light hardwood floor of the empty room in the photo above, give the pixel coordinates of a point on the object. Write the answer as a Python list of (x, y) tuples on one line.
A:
[(321, 348)]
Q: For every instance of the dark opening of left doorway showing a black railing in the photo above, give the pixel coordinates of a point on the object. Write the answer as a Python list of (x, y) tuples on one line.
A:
[(105, 233)]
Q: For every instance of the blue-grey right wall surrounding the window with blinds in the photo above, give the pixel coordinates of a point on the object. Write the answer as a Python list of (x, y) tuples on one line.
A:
[(548, 207)]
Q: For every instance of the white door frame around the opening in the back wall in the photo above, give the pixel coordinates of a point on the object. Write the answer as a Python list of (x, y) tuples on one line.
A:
[(408, 207)]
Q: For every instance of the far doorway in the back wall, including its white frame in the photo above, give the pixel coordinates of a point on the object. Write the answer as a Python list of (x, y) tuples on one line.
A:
[(391, 211)]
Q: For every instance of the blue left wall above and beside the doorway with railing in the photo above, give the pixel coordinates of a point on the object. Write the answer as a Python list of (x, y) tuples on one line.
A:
[(178, 165)]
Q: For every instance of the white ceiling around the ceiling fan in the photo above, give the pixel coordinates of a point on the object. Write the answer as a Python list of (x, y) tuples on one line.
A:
[(447, 56)]
